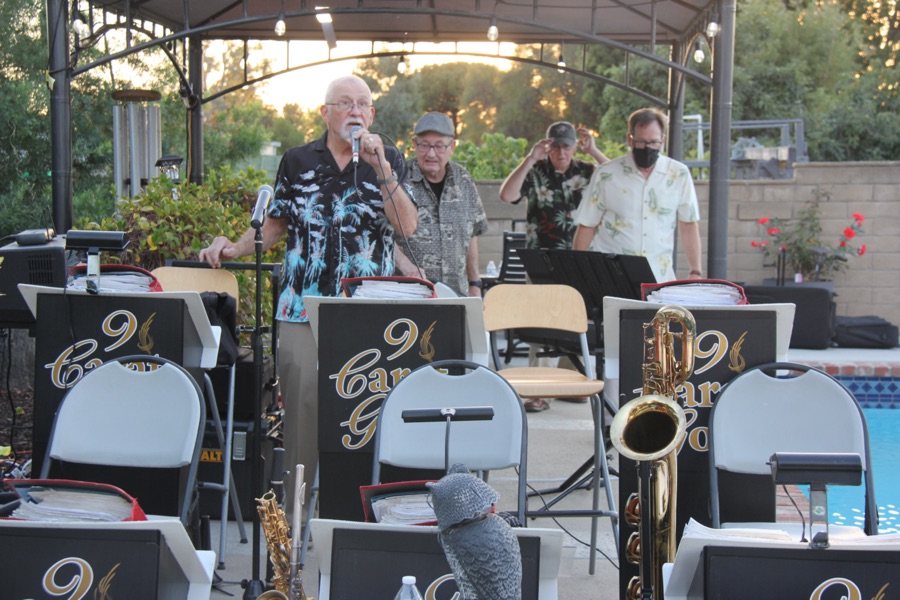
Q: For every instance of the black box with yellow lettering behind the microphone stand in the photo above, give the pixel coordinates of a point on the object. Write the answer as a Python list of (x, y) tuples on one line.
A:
[(212, 465)]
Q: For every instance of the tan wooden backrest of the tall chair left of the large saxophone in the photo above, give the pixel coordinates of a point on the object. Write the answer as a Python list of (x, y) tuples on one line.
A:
[(548, 306)]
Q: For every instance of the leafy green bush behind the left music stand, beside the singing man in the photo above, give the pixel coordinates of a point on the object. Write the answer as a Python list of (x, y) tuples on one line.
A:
[(167, 222)]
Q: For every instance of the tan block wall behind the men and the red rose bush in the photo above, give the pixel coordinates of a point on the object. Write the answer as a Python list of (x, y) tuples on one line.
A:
[(870, 286)]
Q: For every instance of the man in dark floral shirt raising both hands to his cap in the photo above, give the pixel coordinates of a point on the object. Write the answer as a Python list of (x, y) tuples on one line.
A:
[(552, 181)]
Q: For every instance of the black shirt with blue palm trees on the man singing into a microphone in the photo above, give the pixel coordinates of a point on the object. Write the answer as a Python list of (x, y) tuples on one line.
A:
[(336, 224)]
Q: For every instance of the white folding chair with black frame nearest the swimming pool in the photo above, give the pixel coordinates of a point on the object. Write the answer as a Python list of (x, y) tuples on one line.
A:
[(758, 414)]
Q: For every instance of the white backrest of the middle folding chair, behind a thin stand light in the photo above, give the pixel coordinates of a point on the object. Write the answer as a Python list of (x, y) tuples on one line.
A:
[(480, 445)]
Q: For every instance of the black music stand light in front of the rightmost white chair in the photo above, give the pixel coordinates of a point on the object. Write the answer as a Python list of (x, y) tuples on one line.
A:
[(818, 470)]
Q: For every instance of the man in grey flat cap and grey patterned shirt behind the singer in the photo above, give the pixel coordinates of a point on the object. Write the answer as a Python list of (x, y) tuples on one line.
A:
[(444, 247)]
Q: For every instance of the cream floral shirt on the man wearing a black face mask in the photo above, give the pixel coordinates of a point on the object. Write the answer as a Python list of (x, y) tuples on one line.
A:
[(637, 216)]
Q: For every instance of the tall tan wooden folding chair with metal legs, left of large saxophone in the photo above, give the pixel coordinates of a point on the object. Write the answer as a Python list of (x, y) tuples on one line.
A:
[(561, 310)]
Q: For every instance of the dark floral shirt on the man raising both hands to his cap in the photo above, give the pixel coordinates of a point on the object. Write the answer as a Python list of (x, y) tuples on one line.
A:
[(552, 199)]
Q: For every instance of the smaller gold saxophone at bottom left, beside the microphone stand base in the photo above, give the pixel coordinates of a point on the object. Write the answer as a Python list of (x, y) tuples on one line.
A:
[(288, 584)]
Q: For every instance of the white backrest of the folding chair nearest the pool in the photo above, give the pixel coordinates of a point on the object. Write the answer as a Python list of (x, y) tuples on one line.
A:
[(757, 415)]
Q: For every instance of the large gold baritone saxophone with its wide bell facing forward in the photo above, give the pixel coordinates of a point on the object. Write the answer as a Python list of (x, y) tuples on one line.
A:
[(648, 430)]
